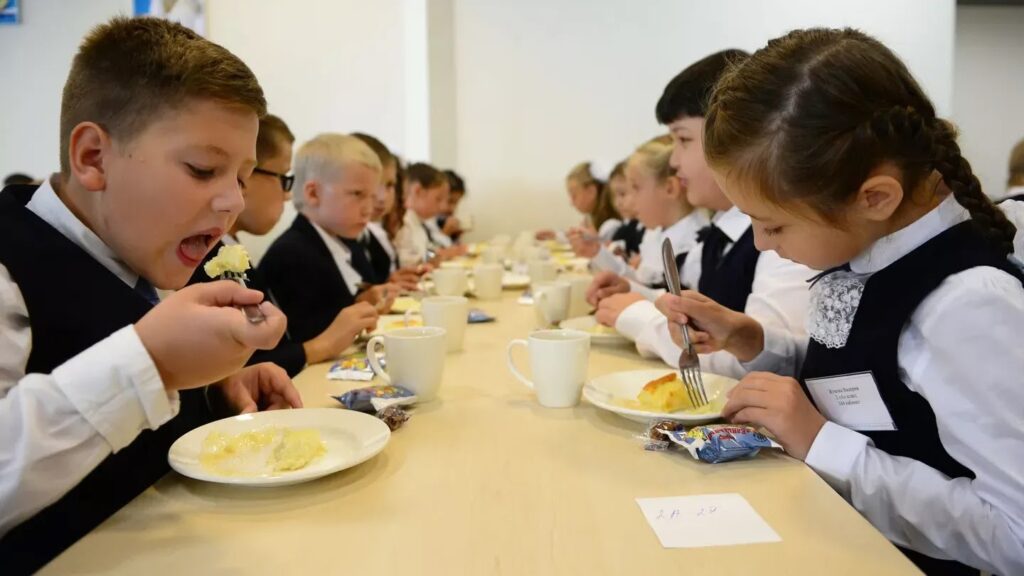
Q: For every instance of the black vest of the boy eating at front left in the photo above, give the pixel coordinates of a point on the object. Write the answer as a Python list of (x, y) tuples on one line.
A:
[(44, 263)]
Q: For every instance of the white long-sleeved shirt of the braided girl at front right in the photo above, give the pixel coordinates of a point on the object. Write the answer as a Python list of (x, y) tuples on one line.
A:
[(962, 352)]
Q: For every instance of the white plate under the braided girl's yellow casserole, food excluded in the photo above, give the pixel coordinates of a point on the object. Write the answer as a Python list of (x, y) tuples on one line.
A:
[(611, 391)]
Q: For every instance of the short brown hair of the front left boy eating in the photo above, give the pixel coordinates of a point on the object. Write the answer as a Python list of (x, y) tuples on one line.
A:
[(130, 72)]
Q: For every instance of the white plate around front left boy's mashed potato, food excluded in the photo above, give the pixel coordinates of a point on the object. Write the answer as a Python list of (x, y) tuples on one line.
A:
[(352, 438)]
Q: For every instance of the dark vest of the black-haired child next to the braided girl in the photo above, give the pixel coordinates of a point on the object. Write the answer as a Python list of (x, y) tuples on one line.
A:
[(729, 278)]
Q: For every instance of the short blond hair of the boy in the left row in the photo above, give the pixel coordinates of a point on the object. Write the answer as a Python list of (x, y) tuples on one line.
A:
[(325, 158)]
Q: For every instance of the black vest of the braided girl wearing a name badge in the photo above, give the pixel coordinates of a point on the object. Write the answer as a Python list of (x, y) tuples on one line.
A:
[(890, 298)]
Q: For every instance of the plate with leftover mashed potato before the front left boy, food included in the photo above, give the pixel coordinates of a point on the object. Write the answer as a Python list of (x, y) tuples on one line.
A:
[(279, 447)]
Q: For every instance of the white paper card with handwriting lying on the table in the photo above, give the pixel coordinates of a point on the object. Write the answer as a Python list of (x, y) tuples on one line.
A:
[(708, 520)]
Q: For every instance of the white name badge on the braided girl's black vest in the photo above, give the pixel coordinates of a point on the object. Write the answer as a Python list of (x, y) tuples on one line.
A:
[(851, 401)]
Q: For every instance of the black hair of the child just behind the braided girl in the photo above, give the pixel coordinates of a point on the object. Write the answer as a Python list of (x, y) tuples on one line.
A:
[(689, 94)]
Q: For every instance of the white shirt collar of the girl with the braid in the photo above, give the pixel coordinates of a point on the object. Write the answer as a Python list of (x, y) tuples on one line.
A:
[(888, 250)]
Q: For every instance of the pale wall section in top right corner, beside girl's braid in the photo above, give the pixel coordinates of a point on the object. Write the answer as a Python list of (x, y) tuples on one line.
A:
[(989, 93)]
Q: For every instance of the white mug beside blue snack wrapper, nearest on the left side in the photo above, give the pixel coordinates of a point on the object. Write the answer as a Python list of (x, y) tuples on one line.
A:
[(415, 359)]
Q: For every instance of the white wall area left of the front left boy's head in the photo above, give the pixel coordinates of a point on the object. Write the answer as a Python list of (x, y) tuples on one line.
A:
[(35, 58)]
